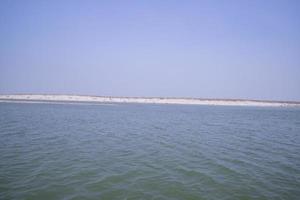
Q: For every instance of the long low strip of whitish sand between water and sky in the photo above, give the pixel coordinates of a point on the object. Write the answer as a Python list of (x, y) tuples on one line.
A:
[(154, 100)]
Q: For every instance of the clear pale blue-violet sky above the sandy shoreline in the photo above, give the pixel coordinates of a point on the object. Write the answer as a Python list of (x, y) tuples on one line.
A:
[(208, 49)]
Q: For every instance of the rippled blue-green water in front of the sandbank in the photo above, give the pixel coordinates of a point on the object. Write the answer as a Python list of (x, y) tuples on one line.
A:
[(136, 151)]
